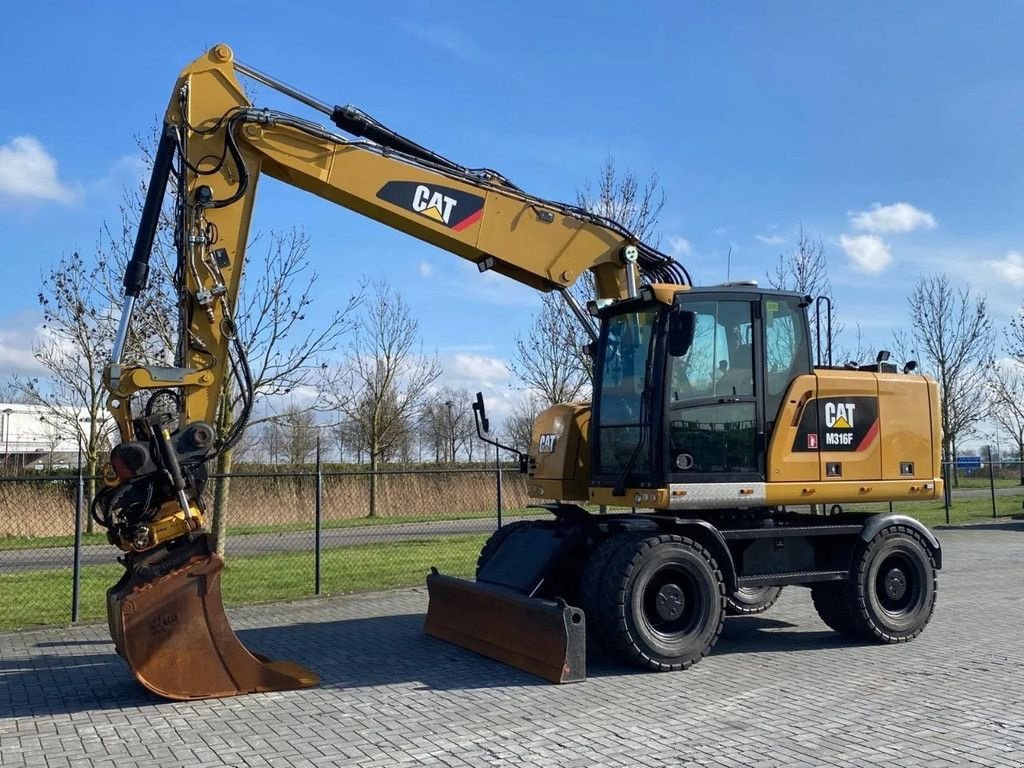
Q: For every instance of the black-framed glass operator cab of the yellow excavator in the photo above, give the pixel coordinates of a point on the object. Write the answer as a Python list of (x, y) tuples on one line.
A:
[(690, 392)]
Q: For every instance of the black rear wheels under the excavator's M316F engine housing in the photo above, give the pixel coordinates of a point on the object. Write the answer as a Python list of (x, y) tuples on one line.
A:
[(892, 592)]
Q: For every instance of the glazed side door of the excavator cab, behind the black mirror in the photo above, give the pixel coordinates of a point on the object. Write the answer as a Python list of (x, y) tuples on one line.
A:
[(714, 404)]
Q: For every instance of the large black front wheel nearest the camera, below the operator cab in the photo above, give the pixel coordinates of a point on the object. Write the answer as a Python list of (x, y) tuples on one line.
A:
[(662, 603)]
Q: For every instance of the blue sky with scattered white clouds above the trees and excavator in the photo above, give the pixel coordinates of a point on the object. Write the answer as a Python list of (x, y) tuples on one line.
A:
[(757, 117)]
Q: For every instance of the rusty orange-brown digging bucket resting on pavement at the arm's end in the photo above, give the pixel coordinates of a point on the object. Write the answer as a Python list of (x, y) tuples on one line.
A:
[(169, 626)]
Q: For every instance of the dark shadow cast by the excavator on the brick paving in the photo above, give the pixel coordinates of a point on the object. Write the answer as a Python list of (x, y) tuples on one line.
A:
[(347, 654)]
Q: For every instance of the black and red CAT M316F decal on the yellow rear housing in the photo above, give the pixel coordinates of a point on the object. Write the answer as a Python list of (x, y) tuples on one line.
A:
[(838, 424)]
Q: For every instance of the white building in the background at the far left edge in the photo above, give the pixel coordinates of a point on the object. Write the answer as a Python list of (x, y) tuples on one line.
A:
[(32, 437)]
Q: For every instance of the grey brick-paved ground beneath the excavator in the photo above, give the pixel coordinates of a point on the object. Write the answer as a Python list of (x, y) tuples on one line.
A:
[(780, 691)]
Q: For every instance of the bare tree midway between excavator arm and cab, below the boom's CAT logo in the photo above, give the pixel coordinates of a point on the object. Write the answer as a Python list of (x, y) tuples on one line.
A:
[(385, 380)]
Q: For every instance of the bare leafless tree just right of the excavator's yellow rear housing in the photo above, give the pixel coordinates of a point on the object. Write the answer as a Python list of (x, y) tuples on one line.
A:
[(954, 335)]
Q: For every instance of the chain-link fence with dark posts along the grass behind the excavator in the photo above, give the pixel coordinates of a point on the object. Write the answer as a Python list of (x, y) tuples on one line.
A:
[(302, 534)]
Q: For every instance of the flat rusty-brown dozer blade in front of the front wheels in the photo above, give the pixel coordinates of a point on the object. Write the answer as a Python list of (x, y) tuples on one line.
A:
[(543, 637)]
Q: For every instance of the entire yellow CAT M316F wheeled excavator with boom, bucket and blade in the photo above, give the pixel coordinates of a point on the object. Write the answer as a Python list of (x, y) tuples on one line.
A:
[(709, 433)]
